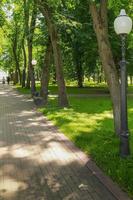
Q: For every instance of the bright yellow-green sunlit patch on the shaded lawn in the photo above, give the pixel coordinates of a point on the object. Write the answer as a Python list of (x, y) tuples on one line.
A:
[(68, 119)]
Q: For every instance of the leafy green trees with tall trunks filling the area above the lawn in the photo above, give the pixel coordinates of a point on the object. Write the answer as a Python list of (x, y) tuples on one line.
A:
[(69, 39)]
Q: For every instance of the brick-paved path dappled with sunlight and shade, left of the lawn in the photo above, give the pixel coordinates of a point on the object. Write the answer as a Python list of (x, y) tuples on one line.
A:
[(36, 161)]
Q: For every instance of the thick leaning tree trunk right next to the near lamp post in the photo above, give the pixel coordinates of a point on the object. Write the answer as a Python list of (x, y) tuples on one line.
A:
[(101, 29)]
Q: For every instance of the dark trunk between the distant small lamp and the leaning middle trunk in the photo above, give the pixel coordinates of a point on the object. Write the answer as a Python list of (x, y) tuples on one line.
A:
[(45, 73)]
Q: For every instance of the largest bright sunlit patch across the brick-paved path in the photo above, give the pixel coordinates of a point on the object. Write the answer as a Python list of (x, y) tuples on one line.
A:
[(40, 153)]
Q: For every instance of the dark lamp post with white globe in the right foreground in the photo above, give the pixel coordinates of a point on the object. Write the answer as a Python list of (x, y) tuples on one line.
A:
[(123, 26)]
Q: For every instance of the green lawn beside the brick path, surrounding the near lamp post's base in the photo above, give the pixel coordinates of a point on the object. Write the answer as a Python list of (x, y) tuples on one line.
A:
[(89, 124)]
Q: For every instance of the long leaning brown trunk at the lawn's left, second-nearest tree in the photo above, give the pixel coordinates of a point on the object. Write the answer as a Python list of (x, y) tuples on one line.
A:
[(63, 101)]
